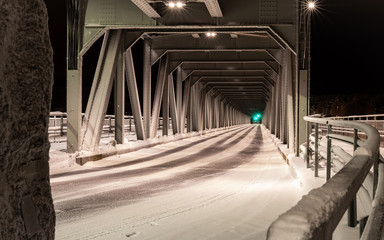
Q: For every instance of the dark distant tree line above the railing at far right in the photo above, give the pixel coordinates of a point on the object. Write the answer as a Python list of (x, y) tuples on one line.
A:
[(347, 104)]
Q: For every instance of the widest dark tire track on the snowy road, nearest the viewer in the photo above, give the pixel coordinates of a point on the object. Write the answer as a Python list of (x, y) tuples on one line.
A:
[(132, 194)]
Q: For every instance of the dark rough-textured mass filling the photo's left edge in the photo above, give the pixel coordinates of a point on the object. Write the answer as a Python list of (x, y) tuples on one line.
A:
[(26, 77)]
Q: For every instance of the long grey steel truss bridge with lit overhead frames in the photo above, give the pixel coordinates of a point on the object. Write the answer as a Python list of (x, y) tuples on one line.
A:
[(256, 61)]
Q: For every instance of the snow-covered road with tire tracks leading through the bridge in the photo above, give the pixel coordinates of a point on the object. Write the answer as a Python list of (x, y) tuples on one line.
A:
[(223, 185)]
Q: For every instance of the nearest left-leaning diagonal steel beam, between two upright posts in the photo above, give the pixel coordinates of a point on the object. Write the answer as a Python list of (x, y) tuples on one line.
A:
[(134, 95)]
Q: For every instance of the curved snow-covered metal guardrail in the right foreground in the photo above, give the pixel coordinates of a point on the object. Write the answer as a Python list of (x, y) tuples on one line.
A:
[(319, 212)]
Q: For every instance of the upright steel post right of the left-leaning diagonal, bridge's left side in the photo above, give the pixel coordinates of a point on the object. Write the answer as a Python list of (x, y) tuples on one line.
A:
[(147, 87)]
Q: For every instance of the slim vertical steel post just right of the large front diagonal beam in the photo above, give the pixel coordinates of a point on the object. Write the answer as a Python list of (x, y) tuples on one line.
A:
[(119, 97)]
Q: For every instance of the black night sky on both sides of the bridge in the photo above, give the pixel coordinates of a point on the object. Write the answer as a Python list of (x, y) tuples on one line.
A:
[(347, 48)]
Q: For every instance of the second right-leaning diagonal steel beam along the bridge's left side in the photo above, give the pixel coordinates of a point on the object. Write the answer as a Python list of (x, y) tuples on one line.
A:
[(161, 79)]
